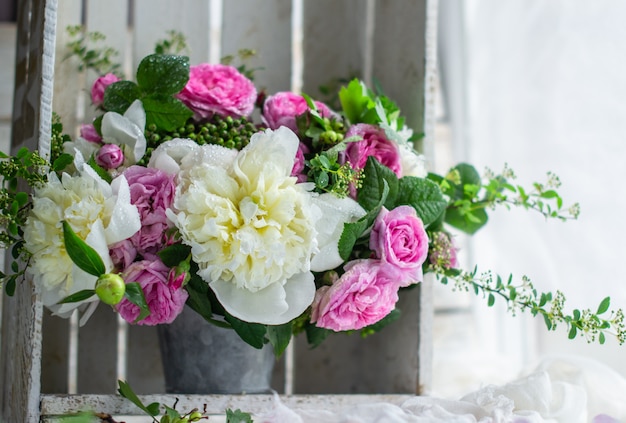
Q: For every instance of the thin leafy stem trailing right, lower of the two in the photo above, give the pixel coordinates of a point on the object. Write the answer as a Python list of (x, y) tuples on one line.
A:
[(523, 296)]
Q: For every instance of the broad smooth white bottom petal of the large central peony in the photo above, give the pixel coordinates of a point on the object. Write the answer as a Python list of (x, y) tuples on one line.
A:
[(274, 305)]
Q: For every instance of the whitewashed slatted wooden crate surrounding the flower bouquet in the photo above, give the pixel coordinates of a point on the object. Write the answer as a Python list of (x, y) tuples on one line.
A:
[(301, 45)]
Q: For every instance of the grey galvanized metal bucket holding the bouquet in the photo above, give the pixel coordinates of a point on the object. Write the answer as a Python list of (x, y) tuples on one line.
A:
[(201, 358)]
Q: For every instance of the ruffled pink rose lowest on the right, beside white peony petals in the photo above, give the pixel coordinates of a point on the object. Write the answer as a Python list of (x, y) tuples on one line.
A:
[(362, 296)]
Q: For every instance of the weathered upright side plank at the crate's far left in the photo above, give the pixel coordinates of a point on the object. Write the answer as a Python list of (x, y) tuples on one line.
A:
[(32, 111)]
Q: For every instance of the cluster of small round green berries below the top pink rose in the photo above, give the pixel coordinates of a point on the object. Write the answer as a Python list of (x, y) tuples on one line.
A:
[(227, 132)]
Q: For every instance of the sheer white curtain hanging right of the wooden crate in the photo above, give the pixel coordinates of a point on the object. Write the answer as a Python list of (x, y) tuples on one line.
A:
[(544, 89)]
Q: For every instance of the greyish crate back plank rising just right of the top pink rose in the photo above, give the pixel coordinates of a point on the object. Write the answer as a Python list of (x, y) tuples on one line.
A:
[(264, 26)]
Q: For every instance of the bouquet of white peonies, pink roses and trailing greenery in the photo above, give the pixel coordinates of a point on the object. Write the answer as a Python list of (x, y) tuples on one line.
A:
[(311, 218)]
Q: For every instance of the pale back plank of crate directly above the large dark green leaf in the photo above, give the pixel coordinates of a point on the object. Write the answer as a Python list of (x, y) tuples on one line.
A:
[(153, 18)]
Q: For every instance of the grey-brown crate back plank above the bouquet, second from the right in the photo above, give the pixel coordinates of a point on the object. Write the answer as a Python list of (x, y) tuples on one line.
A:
[(335, 42)]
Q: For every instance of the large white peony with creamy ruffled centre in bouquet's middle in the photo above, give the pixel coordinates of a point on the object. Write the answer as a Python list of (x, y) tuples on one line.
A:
[(252, 228)]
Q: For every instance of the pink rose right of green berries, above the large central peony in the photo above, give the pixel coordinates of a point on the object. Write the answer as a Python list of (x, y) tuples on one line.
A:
[(282, 108)]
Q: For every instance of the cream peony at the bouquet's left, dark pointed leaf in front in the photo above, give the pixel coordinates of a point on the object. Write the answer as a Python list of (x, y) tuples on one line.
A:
[(99, 213)]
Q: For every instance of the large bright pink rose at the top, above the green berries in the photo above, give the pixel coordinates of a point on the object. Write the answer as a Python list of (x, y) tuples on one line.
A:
[(218, 89)]
